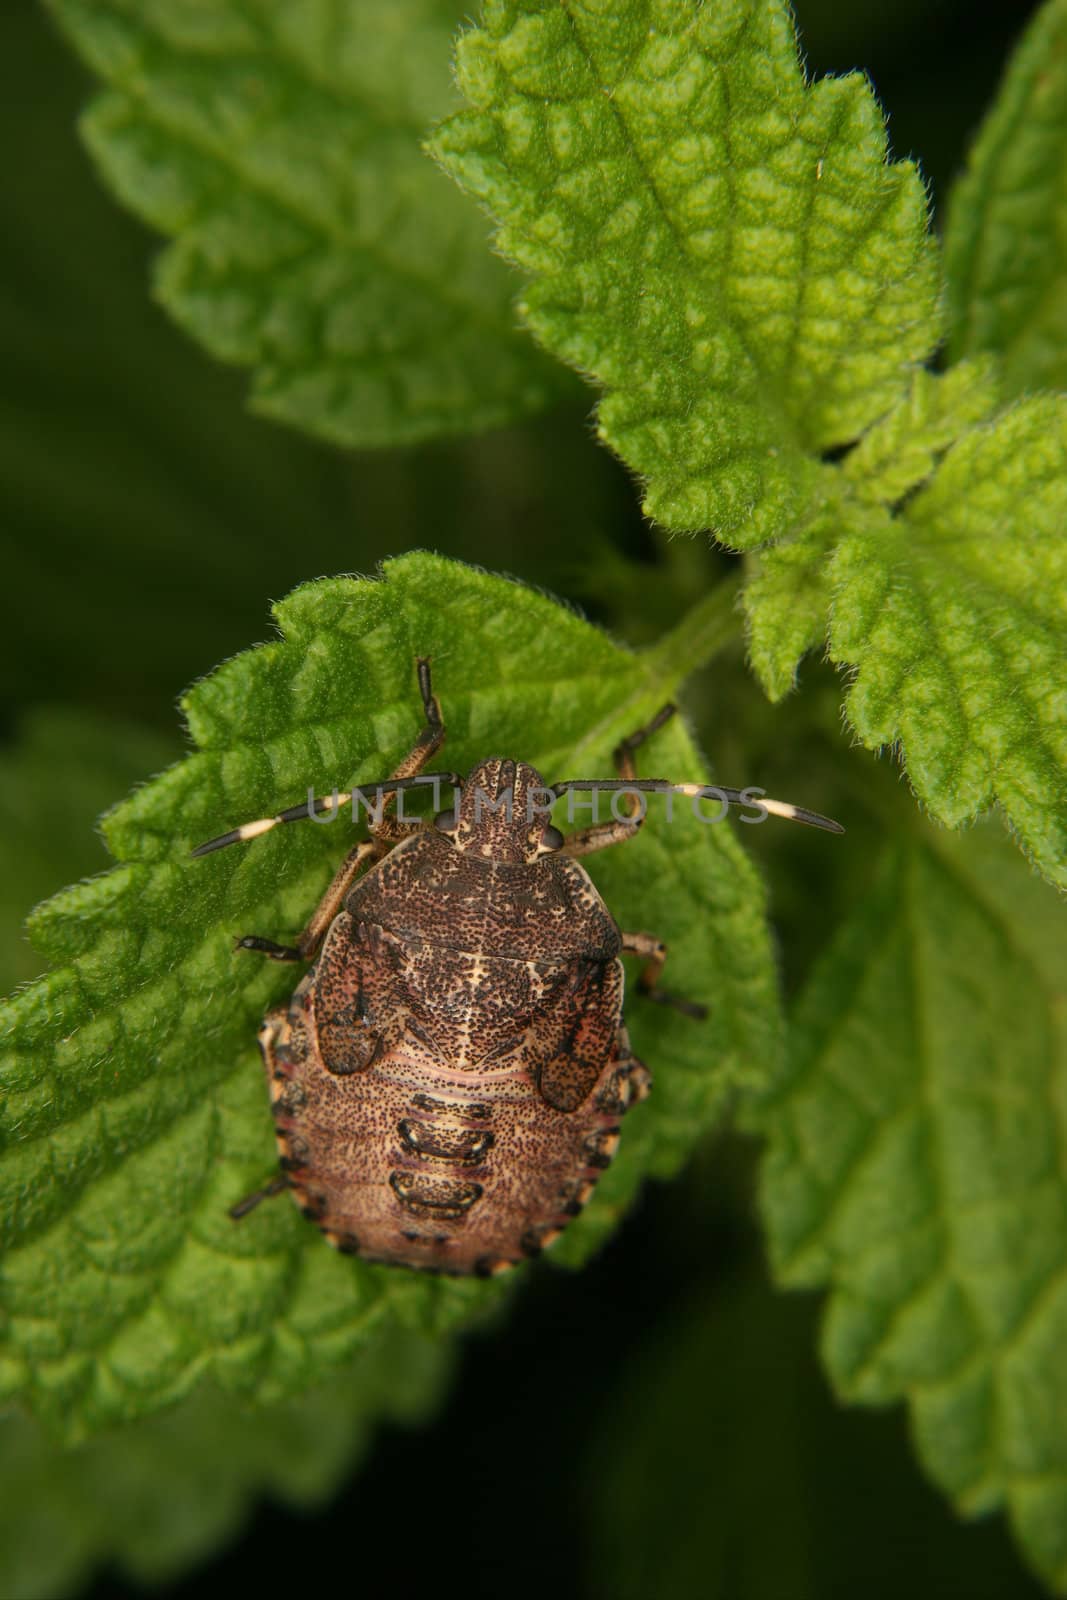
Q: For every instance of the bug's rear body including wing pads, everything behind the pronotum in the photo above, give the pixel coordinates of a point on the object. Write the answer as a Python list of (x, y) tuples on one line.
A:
[(463, 1134)]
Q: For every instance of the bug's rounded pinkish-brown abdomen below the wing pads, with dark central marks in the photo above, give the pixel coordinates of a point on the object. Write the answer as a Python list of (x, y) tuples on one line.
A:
[(415, 1167)]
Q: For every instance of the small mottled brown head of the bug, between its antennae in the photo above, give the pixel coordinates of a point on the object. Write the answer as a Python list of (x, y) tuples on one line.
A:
[(503, 814)]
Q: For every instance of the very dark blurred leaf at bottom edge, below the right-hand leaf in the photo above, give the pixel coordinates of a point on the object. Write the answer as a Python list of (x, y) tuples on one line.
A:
[(730, 1474)]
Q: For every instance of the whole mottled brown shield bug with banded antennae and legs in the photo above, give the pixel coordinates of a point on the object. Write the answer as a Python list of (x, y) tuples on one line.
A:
[(449, 1078)]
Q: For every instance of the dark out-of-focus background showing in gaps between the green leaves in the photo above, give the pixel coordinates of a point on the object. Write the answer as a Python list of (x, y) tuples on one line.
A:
[(657, 1425)]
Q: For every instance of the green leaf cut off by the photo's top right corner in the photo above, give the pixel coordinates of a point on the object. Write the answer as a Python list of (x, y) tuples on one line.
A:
[(1007, 238)]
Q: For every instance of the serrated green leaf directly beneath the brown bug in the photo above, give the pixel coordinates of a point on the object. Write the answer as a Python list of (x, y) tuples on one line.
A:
[(135, 1105)]
